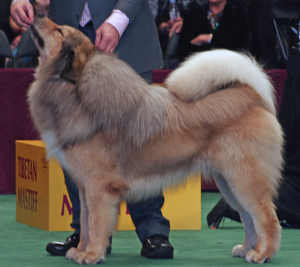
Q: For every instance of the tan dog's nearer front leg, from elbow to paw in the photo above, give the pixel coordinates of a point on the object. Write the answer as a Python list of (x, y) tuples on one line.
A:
[(102, 201)]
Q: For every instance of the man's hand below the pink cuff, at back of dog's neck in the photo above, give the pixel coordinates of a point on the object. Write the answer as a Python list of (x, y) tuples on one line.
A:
[(107, 38)]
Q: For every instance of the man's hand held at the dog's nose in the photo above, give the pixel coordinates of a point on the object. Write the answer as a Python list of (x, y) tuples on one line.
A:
[(22, 13)]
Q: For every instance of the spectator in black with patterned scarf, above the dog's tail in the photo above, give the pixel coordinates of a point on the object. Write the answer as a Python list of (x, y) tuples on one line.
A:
[(215, 24)]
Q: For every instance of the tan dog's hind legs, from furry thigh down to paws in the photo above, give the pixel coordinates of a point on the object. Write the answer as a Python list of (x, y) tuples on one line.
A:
[(247, 158)]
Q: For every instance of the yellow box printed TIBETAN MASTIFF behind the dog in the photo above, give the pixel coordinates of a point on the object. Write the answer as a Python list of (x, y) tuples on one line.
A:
[(42, 199)]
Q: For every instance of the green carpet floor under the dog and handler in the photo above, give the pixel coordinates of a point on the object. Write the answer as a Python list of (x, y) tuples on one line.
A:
[(22, 245)]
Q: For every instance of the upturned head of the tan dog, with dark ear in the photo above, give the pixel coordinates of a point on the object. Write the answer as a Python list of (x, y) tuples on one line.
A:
[(66, 46)]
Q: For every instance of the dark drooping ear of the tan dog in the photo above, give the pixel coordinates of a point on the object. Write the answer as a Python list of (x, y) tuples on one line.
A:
[(72, 68)]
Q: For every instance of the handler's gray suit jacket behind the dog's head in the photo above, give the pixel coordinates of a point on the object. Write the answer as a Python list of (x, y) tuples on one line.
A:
[(139, 45)]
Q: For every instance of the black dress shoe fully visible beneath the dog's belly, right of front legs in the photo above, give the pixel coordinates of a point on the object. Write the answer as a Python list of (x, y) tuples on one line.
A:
[(157, 247)]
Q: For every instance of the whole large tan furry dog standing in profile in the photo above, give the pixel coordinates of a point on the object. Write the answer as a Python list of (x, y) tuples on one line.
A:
[(121, 138)]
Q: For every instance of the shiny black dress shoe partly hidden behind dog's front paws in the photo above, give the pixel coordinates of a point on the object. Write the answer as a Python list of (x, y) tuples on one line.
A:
[(57, 248)]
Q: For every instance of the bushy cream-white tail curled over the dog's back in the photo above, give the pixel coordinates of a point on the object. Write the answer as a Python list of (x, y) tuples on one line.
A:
[(206, 72)]
